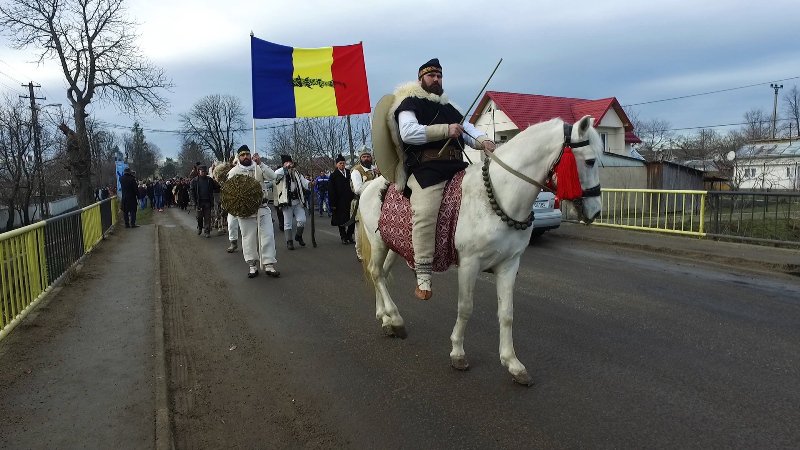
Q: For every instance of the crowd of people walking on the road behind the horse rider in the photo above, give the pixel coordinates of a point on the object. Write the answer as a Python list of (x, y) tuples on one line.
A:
[(286, 202)]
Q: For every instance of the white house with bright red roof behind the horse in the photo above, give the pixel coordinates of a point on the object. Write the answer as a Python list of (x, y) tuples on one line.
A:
[(502, 115)]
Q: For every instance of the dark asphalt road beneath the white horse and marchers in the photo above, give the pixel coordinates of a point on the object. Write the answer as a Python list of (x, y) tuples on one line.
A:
[(627, 348)]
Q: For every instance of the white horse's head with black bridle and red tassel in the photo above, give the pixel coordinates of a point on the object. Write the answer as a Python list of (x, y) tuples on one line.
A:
[(587, 147)]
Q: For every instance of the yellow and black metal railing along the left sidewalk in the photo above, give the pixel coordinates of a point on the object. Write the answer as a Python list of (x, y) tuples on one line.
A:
[(35, 257)]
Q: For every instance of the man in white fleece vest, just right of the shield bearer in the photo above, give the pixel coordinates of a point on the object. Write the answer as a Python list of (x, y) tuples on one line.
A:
[(290, 189)]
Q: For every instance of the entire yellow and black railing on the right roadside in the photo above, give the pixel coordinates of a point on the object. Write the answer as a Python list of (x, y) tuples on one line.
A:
[(761, 217)]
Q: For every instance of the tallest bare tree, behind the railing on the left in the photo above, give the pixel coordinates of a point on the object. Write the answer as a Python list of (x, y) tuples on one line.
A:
[(95, 45)]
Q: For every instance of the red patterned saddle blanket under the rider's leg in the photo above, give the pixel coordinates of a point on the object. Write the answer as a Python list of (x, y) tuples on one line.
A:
[(395, 225)]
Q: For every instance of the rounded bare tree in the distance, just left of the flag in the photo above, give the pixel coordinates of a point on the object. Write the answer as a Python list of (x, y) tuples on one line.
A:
[(215, 121)]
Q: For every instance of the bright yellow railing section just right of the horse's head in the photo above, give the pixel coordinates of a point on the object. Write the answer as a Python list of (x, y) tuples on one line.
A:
[(679, 212)]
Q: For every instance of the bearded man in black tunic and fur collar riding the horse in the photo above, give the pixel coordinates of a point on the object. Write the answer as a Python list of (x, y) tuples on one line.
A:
[(427, 121)]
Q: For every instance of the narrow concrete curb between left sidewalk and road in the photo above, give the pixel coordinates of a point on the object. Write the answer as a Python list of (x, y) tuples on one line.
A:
[(163, 430)]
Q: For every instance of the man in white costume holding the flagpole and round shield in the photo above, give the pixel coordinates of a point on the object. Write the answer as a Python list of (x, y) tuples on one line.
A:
[(258, 236)]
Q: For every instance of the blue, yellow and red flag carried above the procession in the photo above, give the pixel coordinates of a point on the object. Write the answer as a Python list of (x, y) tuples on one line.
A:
[(308, 82)]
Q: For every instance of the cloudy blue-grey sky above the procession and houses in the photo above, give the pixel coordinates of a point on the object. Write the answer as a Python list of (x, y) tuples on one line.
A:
[(636, 51)]
